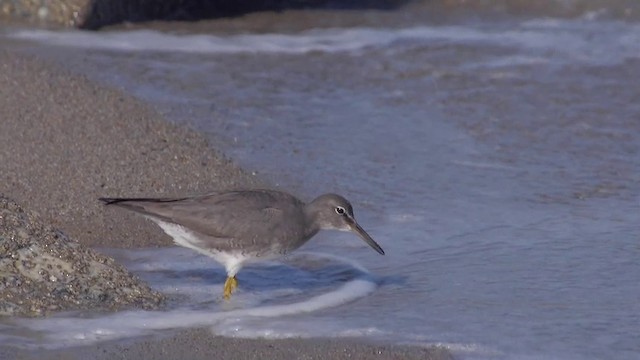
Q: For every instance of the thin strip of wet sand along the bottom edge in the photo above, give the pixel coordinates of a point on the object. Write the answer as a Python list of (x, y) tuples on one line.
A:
[(200, 344)]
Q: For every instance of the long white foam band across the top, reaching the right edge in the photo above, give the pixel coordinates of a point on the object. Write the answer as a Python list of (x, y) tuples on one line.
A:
[(539, 41)]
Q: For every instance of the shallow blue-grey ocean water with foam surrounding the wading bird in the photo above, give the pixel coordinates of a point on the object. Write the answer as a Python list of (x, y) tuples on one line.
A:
[(497, 162)]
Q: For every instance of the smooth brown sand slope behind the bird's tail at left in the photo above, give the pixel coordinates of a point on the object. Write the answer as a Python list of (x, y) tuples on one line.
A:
[(65, 142)]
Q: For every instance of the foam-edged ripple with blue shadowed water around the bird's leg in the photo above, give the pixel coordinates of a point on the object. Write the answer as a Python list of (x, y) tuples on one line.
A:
[(301, 283)]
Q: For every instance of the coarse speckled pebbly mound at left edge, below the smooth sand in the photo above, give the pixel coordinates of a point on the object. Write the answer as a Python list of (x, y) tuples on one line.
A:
[(42, 270)]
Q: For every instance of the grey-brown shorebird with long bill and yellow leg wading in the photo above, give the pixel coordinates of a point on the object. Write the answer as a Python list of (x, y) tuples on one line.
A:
[(237, 227)]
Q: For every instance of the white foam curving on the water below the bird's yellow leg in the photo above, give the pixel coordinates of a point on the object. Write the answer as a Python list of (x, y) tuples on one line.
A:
[(245, 307)]
